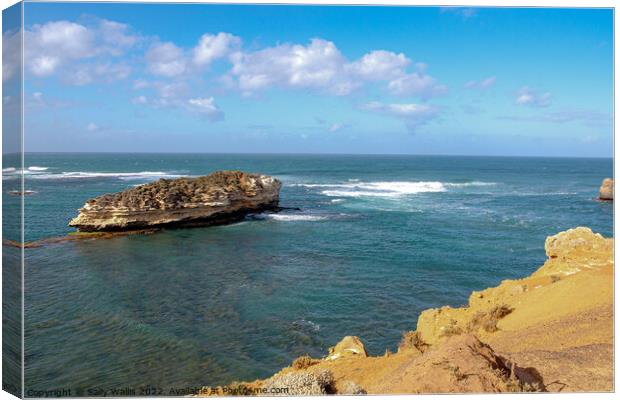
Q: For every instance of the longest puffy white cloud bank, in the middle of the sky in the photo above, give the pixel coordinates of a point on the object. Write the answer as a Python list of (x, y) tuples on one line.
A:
[(321, 66)]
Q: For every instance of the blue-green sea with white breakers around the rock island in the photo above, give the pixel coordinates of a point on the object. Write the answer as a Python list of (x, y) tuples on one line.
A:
[(378, 239)]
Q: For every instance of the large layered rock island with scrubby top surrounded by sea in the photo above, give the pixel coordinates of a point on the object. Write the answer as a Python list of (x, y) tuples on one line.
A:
[(219, 198)]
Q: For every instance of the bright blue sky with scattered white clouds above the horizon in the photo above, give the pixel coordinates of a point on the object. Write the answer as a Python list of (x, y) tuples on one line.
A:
[(315, 79)]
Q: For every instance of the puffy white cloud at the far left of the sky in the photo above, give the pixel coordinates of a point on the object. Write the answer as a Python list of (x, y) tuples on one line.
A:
[(52, 46)]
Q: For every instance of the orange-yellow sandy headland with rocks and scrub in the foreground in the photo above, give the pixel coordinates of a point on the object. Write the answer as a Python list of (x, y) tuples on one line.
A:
[(551, 331)]
